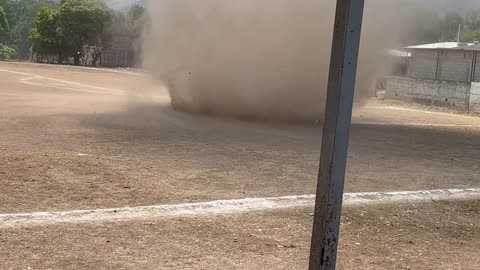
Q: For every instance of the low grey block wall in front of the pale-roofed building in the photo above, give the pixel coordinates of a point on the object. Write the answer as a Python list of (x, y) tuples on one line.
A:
[(430, 92)]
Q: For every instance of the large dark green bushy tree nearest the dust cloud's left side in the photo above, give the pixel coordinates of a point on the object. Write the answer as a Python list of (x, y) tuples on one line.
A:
[(81, 30)]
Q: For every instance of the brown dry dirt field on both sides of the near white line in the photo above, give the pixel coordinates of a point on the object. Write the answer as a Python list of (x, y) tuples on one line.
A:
[(75, 138)]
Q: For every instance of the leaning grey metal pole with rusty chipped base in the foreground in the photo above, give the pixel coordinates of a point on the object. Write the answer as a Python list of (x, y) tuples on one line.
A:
[(336, 130)]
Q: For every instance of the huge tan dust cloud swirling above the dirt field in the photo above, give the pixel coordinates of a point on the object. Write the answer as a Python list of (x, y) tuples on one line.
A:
[(264, 59)]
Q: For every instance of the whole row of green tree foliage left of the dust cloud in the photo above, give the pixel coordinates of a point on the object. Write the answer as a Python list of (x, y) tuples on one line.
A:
[(61, 30)]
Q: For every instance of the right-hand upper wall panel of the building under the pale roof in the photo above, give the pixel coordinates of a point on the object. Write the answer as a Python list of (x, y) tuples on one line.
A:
[(455, 66)]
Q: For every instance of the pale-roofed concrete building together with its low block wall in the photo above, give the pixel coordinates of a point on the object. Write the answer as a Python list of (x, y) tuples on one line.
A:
[(440, 74)]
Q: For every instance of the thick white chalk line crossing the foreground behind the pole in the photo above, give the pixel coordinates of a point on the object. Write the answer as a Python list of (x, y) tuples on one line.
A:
[(224, 207)]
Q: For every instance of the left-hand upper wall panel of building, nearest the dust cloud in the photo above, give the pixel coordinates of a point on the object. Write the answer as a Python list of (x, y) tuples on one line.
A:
[(423, 64)]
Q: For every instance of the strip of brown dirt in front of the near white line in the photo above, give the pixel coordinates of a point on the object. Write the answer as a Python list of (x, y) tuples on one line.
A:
[(434, 236)]
